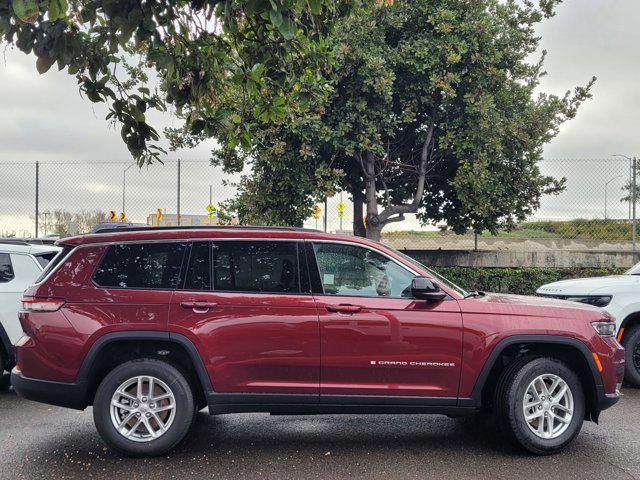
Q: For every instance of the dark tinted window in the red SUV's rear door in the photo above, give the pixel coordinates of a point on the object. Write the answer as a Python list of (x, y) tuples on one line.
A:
[(266, 267)]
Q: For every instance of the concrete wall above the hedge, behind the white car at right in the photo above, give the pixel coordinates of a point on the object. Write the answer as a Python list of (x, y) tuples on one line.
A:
[(508, 258)]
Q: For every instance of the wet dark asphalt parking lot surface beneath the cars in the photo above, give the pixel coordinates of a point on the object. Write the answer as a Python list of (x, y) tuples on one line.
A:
[(40, 441)]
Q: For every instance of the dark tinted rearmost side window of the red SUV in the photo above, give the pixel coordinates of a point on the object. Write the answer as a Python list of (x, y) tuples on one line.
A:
[(141, 265)]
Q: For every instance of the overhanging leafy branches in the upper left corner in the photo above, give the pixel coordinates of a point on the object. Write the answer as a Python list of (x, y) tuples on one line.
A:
[(267, 50)]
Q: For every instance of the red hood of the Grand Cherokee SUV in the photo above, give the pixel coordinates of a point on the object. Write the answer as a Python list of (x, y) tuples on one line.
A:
[(530, 306)]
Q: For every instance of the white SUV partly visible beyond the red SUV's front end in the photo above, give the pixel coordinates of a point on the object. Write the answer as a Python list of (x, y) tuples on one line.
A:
[(617, 294)]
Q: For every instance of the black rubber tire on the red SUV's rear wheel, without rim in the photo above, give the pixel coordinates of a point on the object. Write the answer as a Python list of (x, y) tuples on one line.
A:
[(184, 411)]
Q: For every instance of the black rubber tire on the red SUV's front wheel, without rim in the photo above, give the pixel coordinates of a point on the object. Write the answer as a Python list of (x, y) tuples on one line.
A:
[(510, 394)]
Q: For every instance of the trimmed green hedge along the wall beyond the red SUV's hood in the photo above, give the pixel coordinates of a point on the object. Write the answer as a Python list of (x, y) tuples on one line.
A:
[(521, 281)]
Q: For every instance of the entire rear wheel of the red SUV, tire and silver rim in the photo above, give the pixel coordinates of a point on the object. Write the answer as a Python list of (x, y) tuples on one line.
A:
[(144, 408)]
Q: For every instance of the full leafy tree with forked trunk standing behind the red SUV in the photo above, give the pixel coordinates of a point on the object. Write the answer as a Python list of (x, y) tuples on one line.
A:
[(431, 110)]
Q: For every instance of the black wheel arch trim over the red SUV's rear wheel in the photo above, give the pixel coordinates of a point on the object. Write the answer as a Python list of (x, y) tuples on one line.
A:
[(115, 348)]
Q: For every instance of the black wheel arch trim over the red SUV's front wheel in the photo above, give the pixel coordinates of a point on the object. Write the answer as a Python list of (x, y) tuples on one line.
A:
[(569, 350)]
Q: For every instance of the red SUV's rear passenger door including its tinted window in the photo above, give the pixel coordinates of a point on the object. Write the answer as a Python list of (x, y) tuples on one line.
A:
[(247, 306)]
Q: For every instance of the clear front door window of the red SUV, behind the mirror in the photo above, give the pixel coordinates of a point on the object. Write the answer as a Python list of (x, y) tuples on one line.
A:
[(350, 270)]
